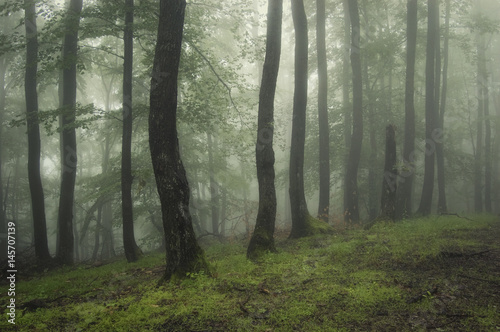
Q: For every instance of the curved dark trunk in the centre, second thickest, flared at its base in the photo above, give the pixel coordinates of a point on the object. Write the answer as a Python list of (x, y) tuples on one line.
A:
[(263, 236)]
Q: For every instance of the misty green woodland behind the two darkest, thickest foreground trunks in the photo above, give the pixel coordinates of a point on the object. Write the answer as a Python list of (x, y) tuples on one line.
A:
[(361, 66)]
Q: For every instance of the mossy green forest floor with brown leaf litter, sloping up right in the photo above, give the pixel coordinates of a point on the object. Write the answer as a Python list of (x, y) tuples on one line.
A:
[(439, 273)]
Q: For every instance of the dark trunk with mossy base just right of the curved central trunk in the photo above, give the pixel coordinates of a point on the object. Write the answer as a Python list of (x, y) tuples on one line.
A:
[(300, 214)]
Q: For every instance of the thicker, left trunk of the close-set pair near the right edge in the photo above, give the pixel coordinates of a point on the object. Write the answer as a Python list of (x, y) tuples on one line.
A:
[(430, 111)]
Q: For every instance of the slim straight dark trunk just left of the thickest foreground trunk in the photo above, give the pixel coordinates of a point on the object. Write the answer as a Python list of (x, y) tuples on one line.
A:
[(132, 251)]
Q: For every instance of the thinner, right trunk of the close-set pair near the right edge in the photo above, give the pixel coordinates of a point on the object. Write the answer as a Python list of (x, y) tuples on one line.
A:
[(442, 204)]
